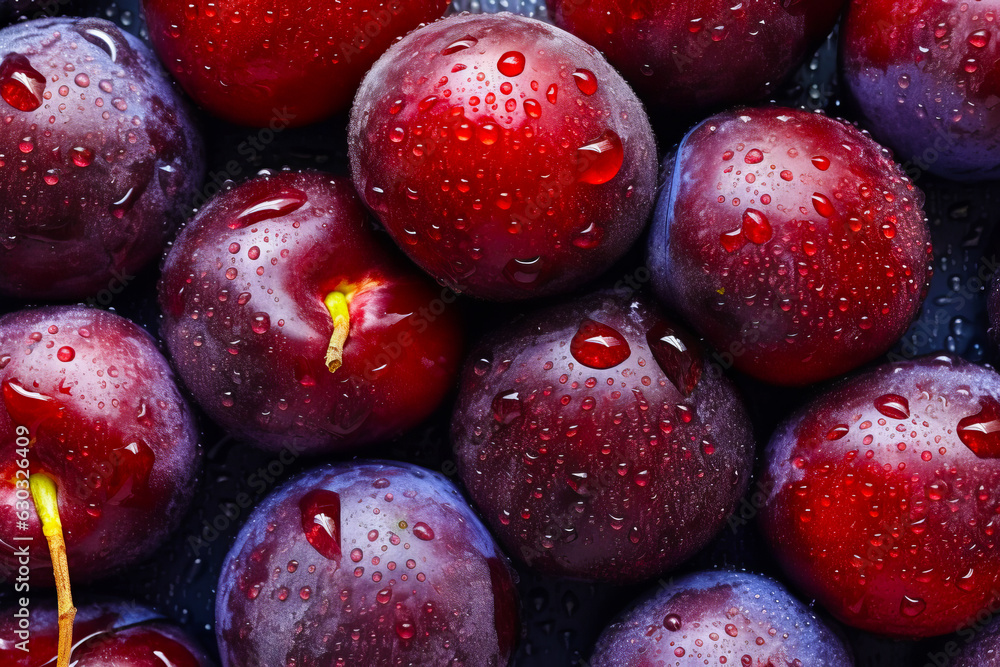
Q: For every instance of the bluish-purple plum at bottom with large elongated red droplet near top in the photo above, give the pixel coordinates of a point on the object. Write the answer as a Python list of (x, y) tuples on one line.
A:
[(416, 576)]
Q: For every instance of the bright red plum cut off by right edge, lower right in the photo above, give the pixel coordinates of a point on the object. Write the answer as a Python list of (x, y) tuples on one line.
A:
[(891, 523)]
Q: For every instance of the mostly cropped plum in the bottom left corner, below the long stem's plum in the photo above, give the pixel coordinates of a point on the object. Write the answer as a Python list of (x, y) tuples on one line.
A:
[(119, 634)]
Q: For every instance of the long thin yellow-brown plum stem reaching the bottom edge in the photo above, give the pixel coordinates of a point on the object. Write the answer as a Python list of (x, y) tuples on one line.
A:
[(44, 493)]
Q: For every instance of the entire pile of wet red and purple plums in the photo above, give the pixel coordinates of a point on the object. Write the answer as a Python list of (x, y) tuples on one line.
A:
[(595, 432)]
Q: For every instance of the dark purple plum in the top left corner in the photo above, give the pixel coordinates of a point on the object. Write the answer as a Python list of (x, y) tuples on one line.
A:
[(95, 181)]
